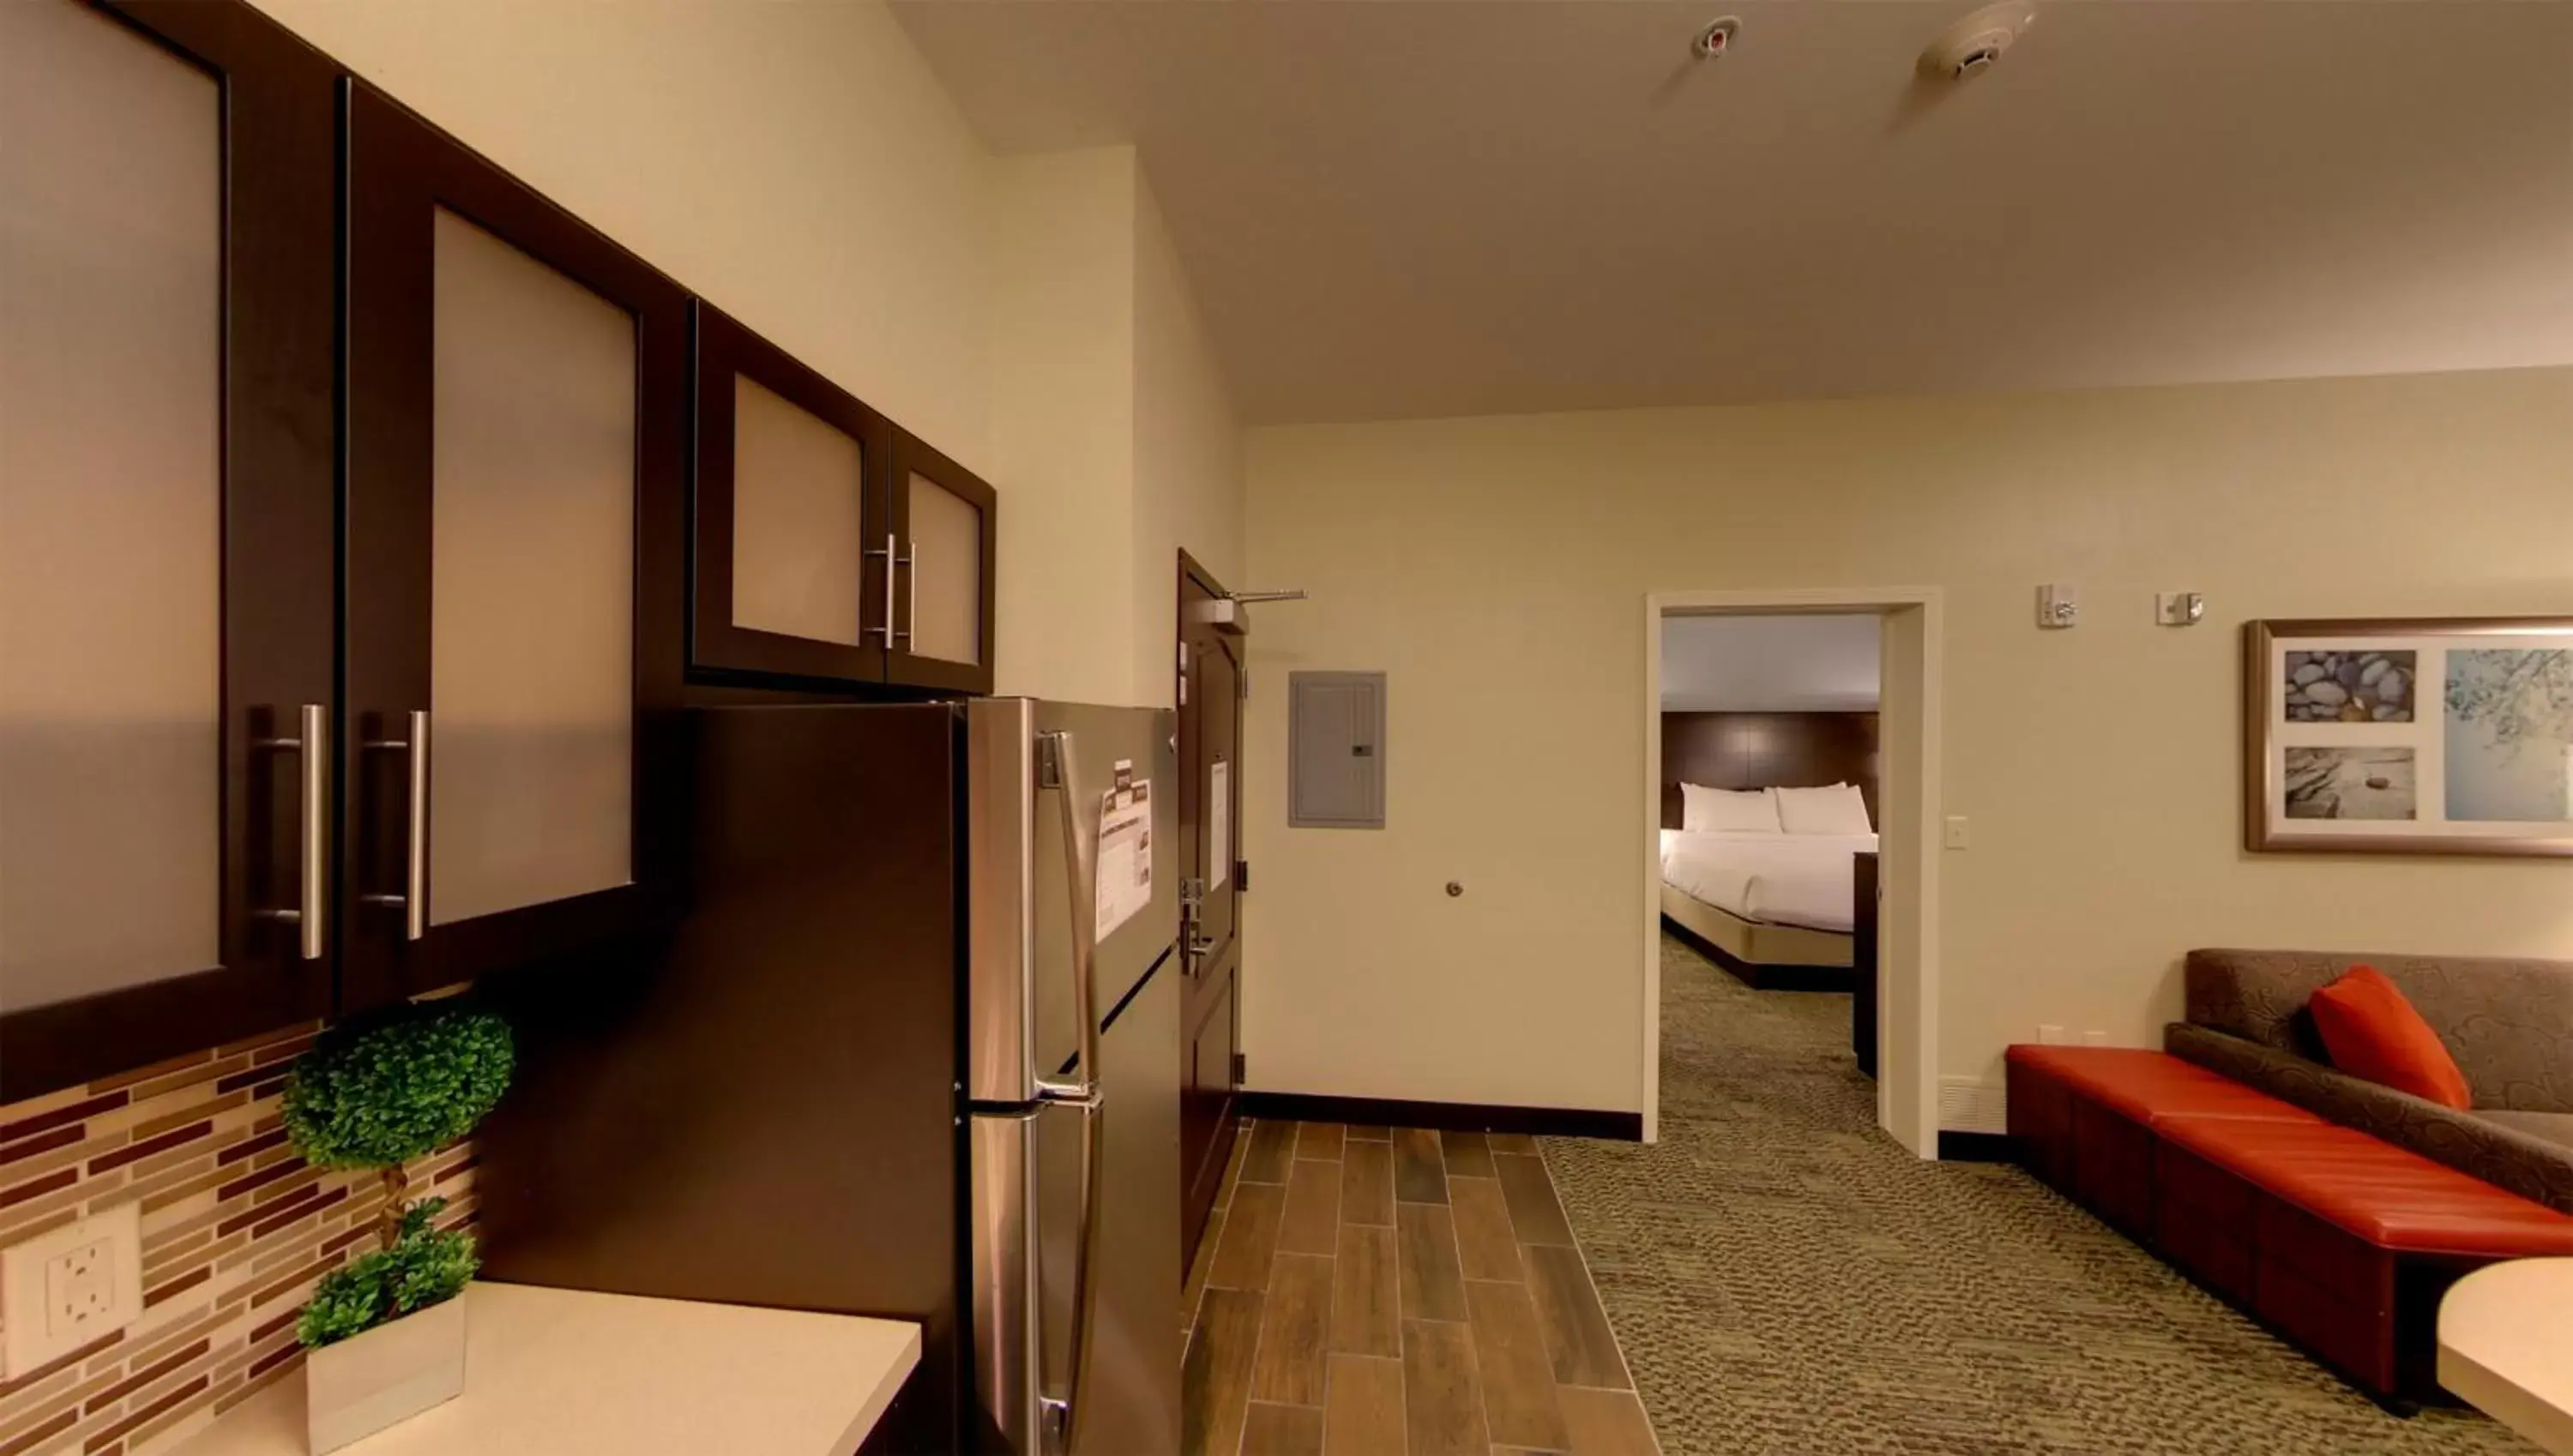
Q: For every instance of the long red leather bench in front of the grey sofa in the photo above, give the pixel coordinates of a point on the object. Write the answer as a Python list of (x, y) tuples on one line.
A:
[(2340, 1241)]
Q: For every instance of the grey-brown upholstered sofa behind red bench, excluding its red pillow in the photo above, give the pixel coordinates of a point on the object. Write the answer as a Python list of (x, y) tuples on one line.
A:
[(2510, 1025)]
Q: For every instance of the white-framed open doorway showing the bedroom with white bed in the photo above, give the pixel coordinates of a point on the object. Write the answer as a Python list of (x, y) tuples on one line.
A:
[(1792, 747)]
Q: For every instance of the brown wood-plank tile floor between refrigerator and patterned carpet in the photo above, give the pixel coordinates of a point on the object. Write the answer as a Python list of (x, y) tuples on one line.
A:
[(1398, 1293)]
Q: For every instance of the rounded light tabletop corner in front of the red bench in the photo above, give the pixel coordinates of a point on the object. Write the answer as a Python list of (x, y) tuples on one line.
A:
[(2507, 1347)]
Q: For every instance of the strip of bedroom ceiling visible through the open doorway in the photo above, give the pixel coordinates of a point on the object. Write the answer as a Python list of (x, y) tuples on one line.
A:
[(1772, 665)]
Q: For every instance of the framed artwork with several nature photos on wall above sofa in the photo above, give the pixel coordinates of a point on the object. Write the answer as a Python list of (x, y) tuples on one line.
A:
[(2410, 737)]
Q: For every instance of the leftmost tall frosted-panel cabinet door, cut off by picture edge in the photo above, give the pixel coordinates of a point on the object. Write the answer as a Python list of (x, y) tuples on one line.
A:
[(166, 534)]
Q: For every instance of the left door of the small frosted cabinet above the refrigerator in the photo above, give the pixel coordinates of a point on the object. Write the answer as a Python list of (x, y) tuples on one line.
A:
[(794, 541)]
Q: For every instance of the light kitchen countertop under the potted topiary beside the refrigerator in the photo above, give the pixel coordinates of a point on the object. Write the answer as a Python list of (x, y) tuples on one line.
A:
[(562, 1372)]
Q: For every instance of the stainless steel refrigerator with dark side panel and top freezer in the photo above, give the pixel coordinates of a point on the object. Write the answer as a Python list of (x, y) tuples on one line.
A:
[(904, 1043)]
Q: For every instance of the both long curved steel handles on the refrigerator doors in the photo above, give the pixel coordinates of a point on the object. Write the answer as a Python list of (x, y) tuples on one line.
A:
[(1059, 770)]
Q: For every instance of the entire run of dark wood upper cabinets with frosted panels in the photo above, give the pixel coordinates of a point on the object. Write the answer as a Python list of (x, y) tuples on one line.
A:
[(346, 585)]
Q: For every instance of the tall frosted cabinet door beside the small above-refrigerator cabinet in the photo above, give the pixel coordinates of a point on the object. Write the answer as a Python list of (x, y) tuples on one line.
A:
[(516, 449)]
